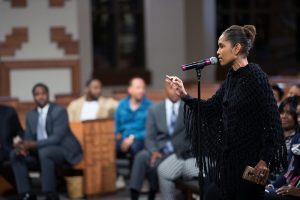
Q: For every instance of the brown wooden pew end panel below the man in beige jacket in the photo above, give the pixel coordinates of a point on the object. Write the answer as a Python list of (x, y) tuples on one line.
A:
[(98, 143)]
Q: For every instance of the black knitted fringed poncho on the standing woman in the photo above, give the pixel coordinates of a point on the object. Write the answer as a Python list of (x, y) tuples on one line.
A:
[(240, 125)]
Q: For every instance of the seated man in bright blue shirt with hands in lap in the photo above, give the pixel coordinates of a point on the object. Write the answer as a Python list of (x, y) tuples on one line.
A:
[(130, 119)]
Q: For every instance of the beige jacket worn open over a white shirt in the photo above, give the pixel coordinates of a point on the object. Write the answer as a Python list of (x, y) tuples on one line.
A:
[(106, 110)]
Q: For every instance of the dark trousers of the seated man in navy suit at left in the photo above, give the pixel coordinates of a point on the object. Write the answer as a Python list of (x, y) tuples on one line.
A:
[(47, 158)]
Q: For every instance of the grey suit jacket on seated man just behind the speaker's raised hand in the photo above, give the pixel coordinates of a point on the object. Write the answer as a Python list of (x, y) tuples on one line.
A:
[(157, 133)]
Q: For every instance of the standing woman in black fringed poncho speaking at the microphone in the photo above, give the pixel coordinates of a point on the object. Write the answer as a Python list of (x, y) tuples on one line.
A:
[(240, 124)]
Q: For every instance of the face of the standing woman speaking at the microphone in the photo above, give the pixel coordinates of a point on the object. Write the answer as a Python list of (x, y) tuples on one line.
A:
[(225, 51)]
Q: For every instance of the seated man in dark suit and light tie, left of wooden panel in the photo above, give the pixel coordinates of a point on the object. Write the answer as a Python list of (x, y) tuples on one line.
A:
[(48, 141)]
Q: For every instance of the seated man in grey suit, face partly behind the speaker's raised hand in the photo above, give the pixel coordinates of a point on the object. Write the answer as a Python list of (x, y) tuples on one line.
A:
[(165, 136)]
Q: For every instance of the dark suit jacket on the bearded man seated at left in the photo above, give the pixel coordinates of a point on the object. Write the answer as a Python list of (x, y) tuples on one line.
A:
[(58, 130)]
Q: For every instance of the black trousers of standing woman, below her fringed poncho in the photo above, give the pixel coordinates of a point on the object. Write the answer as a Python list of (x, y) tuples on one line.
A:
[(245, 191)]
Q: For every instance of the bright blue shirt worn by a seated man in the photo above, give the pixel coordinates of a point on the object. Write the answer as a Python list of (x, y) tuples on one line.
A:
[(131, 122)]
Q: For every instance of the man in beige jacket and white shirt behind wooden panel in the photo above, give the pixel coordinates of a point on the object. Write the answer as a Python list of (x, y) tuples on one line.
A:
[(92, 105)]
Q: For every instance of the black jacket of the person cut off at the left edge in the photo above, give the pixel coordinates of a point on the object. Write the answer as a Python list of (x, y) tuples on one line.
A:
[(9, 128)]
